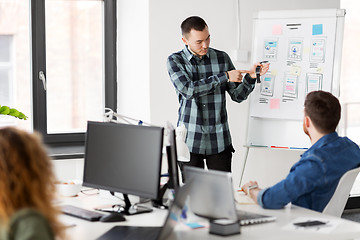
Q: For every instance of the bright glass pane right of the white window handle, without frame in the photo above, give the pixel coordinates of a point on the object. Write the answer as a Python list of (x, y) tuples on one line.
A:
[(74, 64)]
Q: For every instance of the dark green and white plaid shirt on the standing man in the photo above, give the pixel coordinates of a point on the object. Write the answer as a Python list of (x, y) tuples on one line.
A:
[(201, 85)]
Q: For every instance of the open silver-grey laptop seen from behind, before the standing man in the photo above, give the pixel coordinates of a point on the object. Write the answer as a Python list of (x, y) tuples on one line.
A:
[(212, 196)]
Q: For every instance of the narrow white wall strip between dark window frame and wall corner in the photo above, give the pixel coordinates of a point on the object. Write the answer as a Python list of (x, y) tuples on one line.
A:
[(133, 59)]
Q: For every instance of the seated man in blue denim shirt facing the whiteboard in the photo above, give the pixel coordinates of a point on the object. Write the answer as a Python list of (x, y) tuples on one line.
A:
[(313, 179)]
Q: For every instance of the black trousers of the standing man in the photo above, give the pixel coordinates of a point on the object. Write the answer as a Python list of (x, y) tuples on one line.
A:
[(220, 161)]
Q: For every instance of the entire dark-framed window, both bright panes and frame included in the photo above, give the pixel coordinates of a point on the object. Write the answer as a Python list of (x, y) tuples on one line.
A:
[(71, 74)]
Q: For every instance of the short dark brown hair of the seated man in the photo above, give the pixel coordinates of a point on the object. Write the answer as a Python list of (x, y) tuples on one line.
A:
[(324, 110)]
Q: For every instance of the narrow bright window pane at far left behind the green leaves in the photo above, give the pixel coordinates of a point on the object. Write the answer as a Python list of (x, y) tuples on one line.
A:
[(15, 61)]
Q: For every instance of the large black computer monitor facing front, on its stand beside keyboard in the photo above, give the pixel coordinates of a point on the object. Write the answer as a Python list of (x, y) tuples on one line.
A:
[(124, 158)]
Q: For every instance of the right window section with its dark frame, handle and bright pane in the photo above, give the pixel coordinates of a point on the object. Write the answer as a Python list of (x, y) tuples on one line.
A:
[(70, 63)]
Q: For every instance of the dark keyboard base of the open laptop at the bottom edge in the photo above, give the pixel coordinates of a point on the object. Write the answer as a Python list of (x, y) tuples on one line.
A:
[(131, 232)]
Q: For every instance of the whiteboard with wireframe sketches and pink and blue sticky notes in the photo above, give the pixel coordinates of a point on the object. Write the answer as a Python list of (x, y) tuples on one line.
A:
[(304, 51)]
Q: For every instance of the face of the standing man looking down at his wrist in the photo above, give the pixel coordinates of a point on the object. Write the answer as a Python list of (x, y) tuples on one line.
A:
[(198, 41)]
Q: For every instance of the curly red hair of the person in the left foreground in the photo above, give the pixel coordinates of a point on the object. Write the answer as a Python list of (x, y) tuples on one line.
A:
[(26, 177)]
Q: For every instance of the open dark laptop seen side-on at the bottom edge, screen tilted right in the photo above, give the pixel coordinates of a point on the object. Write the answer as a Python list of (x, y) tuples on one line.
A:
[(153, 233)]
